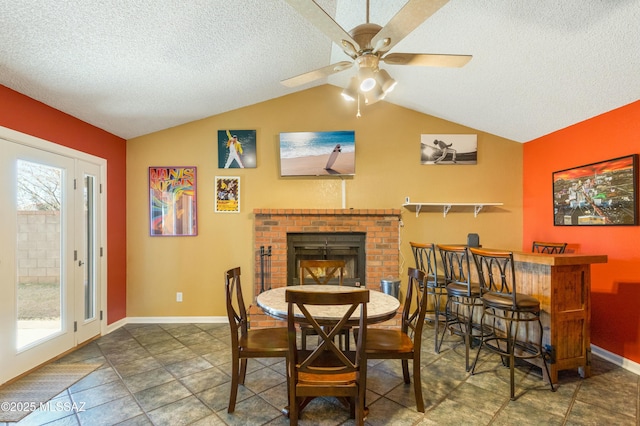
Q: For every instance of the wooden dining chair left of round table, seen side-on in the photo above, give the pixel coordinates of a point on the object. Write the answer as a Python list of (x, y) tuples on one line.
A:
[(246, 343)]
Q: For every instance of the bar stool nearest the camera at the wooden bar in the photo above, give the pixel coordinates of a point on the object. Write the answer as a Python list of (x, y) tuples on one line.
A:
[(513, 318)]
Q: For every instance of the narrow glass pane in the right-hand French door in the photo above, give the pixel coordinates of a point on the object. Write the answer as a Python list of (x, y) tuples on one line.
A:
[(89, 248)]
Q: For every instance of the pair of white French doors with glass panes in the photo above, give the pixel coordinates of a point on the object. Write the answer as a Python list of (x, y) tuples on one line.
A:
[(50, 264)]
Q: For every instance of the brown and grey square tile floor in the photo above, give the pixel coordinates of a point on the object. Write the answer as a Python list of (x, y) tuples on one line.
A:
[(171, 374)]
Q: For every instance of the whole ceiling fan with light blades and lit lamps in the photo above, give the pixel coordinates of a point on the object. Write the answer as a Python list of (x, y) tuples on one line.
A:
[(367, 45)]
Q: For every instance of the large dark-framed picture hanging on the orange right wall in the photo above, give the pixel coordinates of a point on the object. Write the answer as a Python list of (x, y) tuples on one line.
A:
[(597, 194)]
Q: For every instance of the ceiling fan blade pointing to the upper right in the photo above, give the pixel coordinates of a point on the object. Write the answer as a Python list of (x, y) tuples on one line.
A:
[(412, 14)]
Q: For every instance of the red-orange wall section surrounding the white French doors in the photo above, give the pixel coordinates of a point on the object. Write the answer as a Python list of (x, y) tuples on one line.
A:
[(23, 114)]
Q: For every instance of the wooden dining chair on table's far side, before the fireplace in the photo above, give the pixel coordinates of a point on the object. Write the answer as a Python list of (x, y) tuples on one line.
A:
[(322, 272)]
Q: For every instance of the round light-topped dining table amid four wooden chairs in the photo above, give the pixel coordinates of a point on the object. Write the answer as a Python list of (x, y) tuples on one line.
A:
[(381, 306)]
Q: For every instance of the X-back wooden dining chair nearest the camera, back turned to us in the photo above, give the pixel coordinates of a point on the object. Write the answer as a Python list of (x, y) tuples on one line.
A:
[(328, 369)]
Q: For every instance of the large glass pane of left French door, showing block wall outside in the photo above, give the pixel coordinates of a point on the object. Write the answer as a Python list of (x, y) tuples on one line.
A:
[(39, 273)]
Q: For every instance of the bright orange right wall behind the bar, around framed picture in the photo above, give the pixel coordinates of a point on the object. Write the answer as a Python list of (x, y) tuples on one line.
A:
[(615, 324)]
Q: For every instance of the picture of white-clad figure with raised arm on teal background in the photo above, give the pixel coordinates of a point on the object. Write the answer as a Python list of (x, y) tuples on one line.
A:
[(237, 149)]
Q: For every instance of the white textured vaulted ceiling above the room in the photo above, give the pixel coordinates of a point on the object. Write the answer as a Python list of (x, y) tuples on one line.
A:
[(132, 67)]
